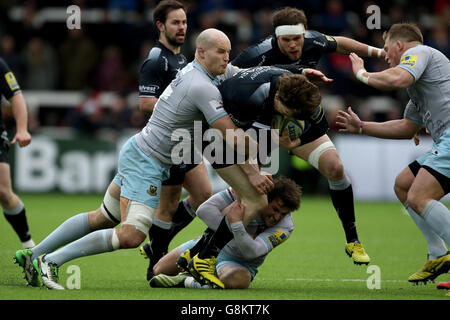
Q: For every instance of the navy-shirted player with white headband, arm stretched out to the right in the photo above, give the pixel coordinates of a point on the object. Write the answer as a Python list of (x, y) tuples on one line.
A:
[(293, 44)]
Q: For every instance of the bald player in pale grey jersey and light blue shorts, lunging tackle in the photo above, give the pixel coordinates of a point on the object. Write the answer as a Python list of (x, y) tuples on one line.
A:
[(144, 162)]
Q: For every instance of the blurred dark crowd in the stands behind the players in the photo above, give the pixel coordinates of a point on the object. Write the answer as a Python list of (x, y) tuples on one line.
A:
[(115, 36)]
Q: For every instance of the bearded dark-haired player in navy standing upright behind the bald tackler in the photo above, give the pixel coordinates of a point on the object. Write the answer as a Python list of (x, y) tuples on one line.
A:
[(158, 70)]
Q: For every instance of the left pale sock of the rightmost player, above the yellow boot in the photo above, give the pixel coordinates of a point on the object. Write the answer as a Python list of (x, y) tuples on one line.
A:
[(436, 246)]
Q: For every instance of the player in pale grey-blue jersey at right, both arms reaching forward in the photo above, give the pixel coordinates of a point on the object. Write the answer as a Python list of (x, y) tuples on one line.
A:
[(425, 73)]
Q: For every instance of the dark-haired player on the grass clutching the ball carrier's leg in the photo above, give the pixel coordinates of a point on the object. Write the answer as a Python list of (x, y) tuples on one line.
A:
[(239, 260)]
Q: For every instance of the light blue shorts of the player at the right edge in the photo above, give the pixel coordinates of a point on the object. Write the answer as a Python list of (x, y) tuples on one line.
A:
[(438, 158)]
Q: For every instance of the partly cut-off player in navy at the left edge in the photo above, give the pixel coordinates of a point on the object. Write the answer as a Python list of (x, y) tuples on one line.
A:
[(13, 208)]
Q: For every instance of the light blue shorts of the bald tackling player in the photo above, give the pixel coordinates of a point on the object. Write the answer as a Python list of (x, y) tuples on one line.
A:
[(139, 176)]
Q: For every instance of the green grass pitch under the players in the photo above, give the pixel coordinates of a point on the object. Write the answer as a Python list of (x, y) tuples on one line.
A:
[(311, 265)]
